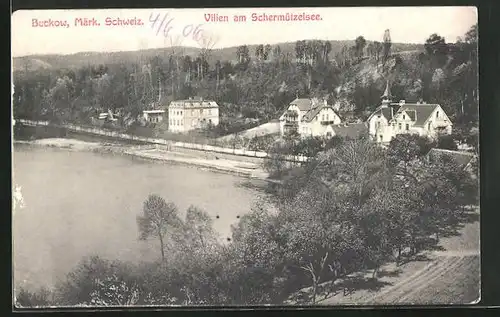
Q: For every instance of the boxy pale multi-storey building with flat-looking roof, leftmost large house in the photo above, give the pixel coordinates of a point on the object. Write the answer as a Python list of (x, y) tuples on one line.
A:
[(191, 114)]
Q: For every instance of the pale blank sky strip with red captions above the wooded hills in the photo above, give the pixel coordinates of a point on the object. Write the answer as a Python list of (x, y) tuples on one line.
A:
[(188, 27)]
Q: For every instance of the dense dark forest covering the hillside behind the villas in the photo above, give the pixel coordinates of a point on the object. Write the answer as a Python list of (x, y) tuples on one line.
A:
[(251, 82)]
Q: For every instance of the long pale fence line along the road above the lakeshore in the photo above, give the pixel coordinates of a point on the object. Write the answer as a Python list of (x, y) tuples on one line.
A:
[(168, 143)]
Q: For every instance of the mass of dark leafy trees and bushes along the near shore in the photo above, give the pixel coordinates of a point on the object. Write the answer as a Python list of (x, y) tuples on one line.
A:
[(355, 207)]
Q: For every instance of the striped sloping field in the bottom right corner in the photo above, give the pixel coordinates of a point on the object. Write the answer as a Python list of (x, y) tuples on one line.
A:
[(446, 277)]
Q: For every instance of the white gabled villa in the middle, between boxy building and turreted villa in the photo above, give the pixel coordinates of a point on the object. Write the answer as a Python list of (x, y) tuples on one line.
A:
[(309, 117)]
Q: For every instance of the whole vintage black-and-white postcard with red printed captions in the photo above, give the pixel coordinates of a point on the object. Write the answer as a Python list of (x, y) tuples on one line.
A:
[(245, 156)]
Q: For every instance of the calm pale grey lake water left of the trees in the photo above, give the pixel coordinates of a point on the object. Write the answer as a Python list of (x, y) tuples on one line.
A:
[(80, 203)]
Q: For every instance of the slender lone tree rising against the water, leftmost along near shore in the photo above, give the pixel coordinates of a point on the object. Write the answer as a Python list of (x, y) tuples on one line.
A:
[(157, 216)]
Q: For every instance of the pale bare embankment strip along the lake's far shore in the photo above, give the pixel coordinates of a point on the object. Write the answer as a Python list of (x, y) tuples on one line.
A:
[(159, 154)]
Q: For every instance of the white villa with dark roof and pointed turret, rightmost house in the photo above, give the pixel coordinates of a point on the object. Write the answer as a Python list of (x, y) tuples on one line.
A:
[(391, 119)]
